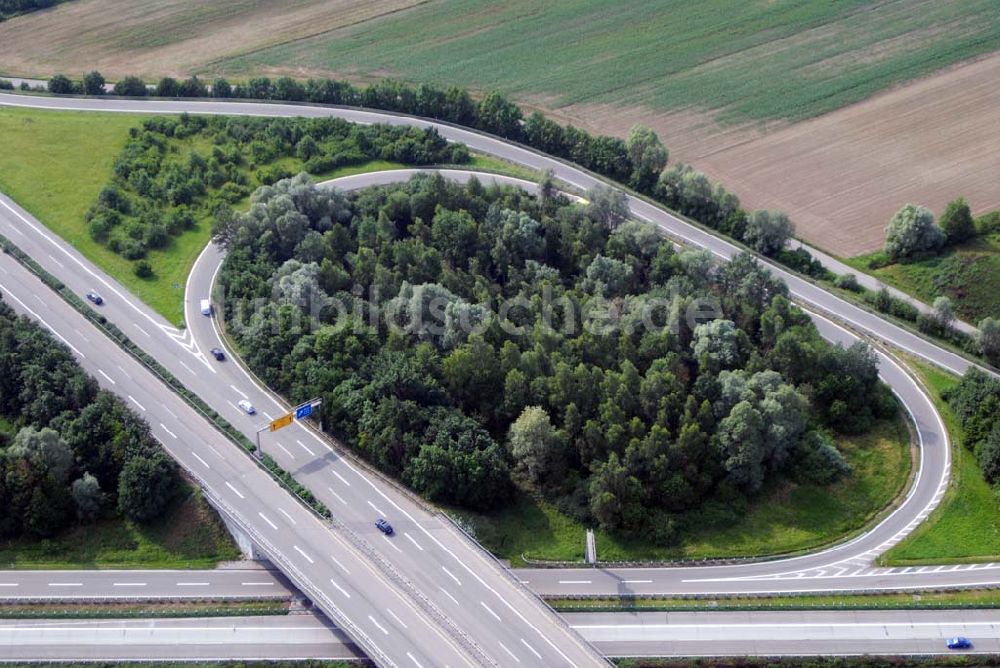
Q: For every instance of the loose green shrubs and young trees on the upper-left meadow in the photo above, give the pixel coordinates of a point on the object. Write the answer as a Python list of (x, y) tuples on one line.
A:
[(163, 186)]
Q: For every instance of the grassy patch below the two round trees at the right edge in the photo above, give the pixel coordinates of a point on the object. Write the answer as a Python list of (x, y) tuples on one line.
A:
[(969, 275)]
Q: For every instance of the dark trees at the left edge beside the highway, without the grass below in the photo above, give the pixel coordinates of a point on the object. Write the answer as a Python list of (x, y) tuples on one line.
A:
[(76, 452)]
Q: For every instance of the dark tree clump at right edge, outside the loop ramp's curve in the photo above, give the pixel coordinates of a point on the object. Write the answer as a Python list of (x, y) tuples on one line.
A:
[(976, 402)]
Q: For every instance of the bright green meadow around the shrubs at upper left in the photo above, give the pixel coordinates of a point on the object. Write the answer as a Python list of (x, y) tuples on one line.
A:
[(55, 163)]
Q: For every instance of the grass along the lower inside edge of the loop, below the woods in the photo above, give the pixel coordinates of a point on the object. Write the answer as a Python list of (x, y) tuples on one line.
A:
[(786, 518)]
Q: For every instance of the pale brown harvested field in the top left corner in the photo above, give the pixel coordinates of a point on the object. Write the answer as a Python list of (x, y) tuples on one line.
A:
[(154, 38)]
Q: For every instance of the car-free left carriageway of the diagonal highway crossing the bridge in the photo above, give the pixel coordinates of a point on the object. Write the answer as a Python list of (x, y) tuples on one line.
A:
[(328, 565)]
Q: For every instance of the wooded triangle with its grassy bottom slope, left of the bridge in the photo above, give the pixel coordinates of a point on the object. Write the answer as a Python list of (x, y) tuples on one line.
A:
[(82, 480)]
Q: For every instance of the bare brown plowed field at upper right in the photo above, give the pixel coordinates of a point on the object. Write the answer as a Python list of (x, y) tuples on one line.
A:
[(841, 176)]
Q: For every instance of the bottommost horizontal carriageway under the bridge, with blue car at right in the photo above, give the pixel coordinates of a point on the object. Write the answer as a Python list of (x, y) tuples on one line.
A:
[(620, 634)]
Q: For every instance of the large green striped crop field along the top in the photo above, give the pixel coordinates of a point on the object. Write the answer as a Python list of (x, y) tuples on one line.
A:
[(759, 59)]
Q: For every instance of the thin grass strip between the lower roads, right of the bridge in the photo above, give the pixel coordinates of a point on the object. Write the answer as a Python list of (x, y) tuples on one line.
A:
[(965, 598)]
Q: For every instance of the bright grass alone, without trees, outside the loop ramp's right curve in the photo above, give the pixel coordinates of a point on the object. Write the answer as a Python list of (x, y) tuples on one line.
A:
[(966, 526)]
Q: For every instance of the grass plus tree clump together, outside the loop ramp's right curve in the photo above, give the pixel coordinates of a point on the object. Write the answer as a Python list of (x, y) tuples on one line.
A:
[(966, 525)]
